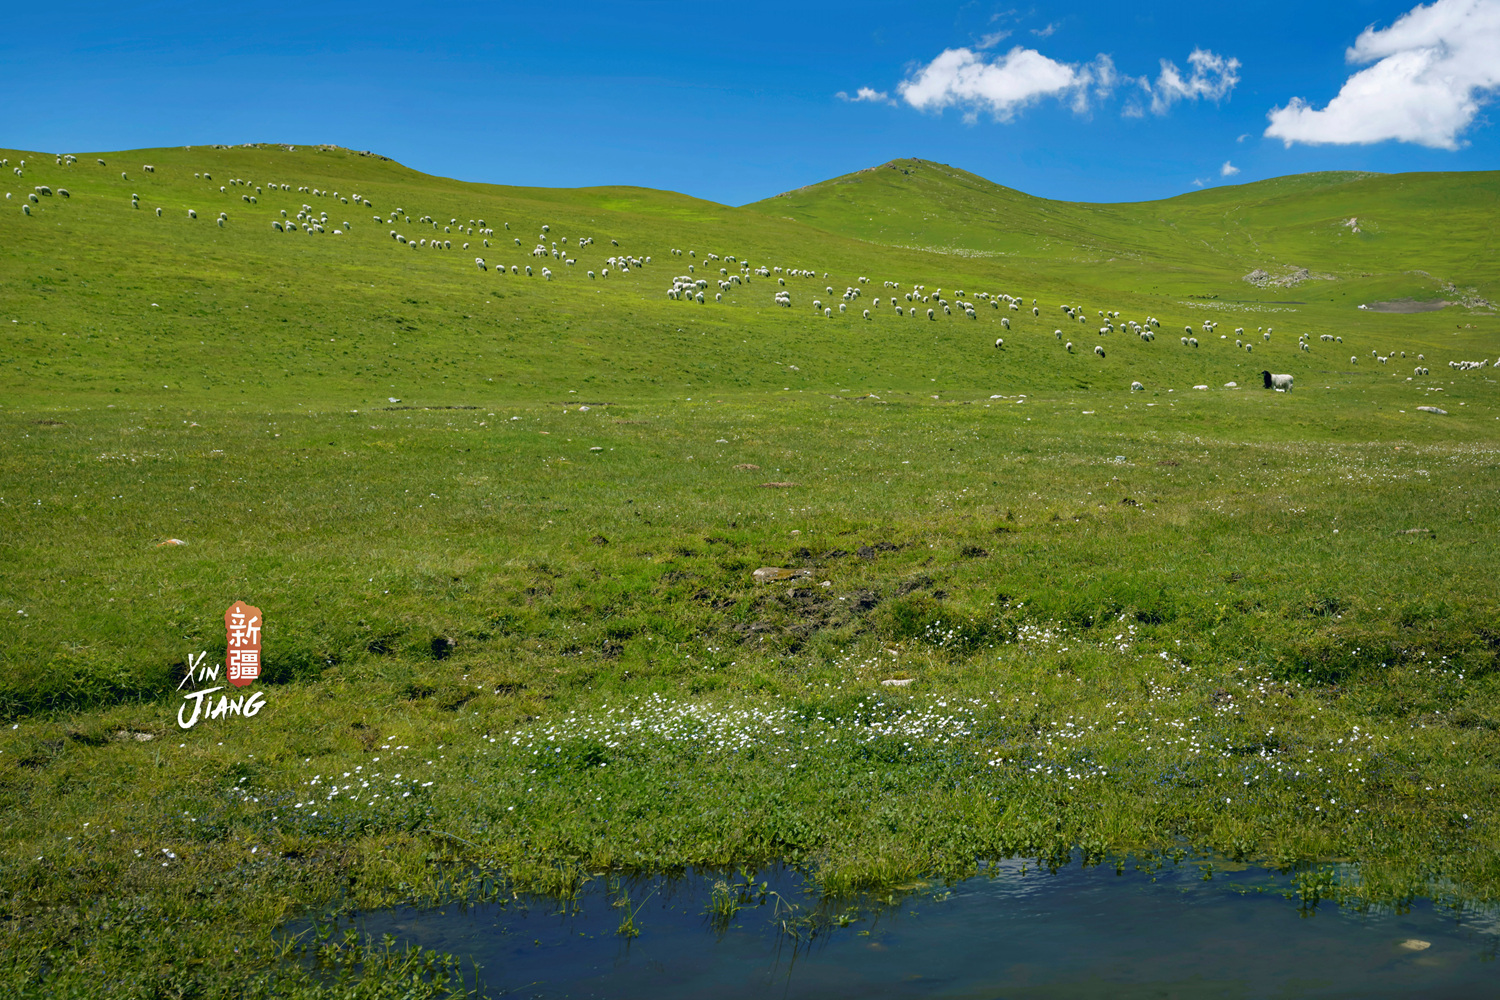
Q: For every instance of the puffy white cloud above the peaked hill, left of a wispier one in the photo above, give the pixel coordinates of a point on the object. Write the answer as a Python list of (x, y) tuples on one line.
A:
[(1006, 85)]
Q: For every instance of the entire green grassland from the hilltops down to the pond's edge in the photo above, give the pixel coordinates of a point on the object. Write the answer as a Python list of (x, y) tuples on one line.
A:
[(505, 531)]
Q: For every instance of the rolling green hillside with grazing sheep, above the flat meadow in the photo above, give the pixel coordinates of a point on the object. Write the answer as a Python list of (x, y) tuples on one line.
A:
[(347, 280)]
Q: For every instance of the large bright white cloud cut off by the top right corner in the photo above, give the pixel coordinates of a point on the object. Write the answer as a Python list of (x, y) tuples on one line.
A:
[(1433, 70)]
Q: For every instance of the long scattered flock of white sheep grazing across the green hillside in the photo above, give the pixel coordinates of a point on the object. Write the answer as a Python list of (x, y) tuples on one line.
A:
[(733, 271)]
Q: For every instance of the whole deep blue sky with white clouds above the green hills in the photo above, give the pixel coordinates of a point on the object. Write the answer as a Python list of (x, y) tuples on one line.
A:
[(737, 103)]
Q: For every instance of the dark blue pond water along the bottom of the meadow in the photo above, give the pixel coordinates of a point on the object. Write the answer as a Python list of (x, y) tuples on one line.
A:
[(1010, 933)]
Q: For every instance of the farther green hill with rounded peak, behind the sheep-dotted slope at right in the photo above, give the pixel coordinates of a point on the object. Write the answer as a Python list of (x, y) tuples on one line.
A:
[(1442, 224)]
